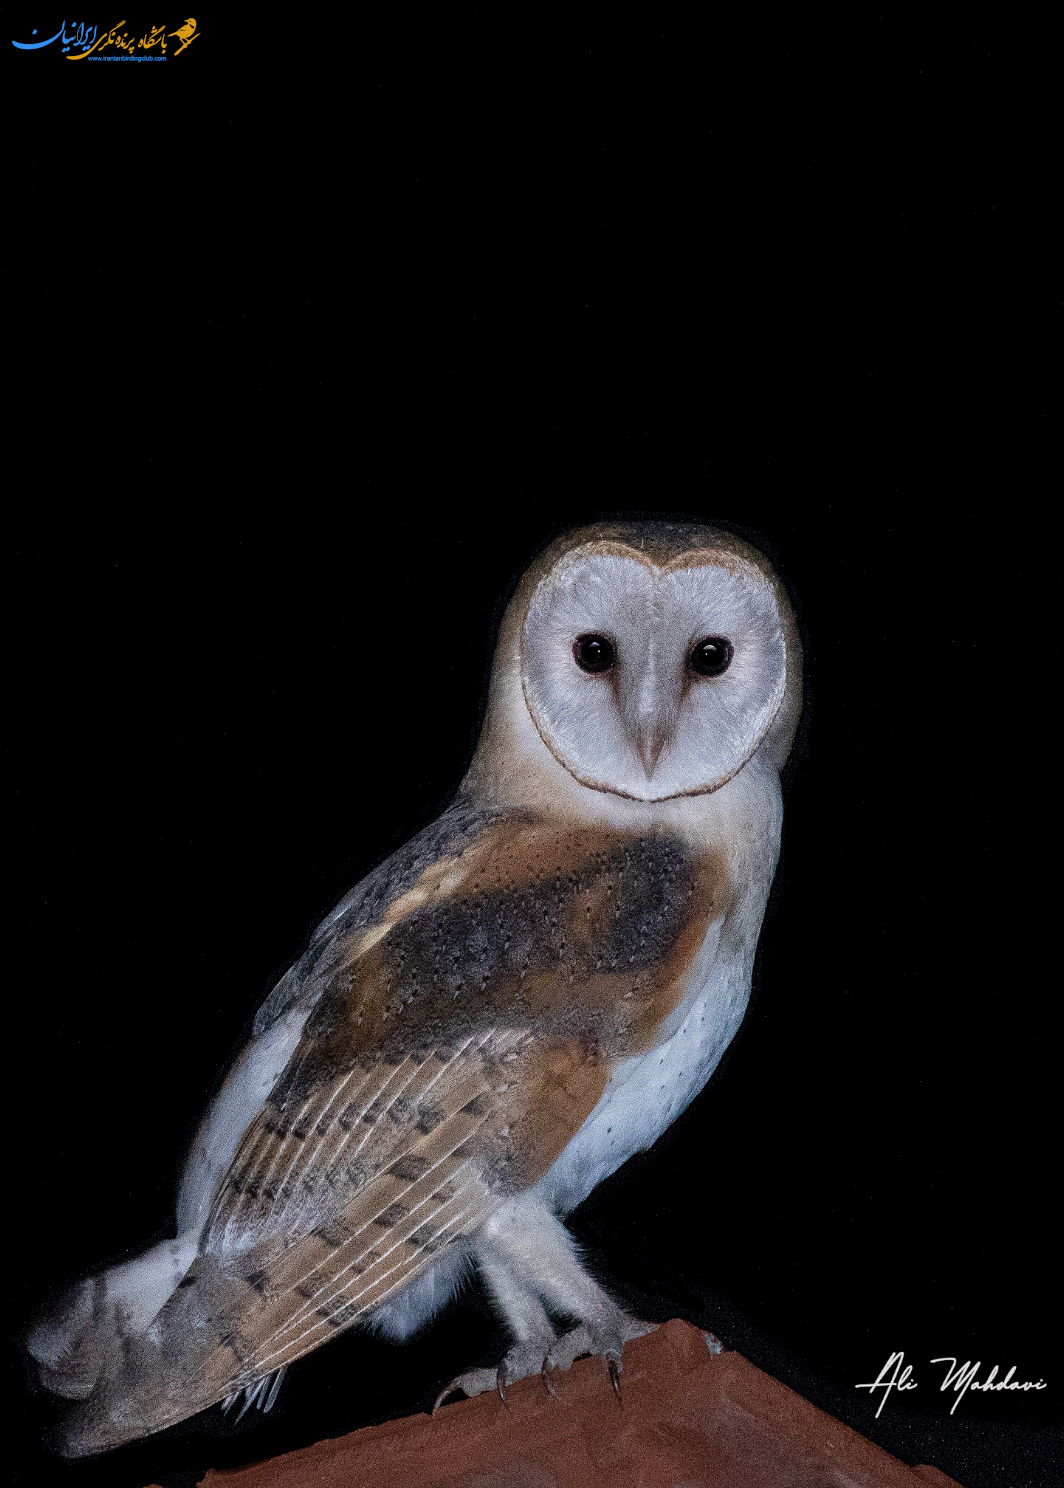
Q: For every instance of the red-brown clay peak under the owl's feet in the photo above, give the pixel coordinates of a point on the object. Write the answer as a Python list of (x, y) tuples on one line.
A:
[(690, 1420)]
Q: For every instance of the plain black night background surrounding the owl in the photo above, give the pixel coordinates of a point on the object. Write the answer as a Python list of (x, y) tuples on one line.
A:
[(318, 337)]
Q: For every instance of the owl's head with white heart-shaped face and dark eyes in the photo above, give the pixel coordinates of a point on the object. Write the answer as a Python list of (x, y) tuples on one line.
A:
[(654, 660)]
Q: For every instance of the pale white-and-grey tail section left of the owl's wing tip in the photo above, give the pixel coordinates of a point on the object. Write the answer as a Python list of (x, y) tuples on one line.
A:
[(80, 1330)]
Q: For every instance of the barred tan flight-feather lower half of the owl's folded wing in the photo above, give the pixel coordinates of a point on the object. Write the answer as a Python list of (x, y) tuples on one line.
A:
[(337, 1202)]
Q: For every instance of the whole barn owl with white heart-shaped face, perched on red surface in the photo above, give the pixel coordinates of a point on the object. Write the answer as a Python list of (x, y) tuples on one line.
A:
[(526, 995)]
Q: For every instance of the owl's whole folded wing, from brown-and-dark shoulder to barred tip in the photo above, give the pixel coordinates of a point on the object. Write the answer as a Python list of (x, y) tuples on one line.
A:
[(458, 1042)]
